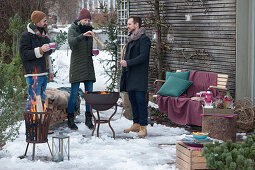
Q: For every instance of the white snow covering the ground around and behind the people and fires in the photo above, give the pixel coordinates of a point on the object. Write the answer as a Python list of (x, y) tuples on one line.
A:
[(127, 151)]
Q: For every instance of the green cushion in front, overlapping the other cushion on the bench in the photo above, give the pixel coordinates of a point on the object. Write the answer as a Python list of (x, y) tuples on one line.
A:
[(174, 87)]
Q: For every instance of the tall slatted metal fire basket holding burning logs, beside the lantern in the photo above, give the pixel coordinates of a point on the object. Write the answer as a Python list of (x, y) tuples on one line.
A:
[(37, 125)]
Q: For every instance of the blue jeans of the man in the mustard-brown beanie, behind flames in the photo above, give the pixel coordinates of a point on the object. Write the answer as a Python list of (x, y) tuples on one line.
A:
[(36, 85)]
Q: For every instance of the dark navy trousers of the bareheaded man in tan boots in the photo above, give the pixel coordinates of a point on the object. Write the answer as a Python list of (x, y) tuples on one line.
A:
[(139, 107)]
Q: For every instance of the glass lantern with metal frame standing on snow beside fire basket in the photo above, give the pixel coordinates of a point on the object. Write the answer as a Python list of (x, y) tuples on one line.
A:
[(60, 147)]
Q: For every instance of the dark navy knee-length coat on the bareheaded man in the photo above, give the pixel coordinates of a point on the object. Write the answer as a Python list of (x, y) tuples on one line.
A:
[(135, 76)]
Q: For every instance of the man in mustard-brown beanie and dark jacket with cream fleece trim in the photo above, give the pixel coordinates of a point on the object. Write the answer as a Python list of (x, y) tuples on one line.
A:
[(35, 55)]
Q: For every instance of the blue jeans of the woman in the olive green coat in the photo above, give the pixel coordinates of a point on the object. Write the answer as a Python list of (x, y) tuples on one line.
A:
[(74, 94)]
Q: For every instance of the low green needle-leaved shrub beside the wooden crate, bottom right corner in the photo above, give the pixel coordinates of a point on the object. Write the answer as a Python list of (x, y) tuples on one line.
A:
[(232, 156)]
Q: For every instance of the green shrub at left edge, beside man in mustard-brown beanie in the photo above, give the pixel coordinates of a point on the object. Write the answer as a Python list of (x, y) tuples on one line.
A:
[(12, 92)]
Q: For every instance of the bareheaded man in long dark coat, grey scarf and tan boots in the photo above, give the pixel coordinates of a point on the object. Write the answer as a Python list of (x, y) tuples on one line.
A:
[(134, 78)]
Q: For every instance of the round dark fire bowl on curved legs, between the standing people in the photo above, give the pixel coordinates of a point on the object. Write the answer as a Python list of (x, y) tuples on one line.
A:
[(101, 101)]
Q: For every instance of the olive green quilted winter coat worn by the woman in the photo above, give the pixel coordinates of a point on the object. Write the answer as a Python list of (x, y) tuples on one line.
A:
[(81, 65)]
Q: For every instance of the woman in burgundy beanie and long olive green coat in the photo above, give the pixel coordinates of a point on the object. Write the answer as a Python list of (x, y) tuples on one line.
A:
[(80, 39)]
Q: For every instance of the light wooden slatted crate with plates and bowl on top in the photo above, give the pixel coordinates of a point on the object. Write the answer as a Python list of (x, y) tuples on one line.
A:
[(188, 158)]
